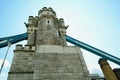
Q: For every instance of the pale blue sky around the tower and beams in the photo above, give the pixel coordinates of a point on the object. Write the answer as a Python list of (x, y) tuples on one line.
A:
[(95, 22)]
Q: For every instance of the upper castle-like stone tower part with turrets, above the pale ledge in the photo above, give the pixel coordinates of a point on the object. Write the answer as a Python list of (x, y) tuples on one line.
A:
[(46, 29)]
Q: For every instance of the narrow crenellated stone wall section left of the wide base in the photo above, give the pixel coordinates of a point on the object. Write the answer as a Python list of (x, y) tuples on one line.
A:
[(22, 64)]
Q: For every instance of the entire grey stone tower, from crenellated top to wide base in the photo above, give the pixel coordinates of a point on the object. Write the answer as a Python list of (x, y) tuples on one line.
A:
[(46, 55)]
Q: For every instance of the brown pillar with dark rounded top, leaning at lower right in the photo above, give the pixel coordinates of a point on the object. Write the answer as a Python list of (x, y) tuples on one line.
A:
[(107, 70)]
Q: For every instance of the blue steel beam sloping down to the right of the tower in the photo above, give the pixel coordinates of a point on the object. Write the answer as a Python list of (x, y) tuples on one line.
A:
[(94, 50)]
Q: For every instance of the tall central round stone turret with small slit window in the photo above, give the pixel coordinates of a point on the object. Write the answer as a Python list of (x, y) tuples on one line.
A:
[(49, 30)]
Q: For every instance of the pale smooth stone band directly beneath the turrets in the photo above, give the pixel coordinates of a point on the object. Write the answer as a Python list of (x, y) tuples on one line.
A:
[(57, 49)]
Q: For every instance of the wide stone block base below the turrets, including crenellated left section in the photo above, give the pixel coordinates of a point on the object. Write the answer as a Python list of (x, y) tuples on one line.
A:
[(49, 63)]
